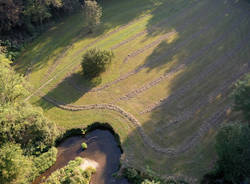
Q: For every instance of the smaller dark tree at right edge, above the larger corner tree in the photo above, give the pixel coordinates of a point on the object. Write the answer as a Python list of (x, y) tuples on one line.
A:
[(242, 97)]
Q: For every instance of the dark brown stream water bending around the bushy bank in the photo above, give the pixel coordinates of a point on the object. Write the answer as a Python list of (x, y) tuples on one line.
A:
[(102, 148)]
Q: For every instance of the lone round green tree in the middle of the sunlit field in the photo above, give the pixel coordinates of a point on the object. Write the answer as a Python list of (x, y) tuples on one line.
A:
[(95, 61)]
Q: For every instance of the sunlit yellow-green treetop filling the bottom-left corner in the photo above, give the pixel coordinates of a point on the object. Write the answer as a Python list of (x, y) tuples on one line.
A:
[(14, 166)]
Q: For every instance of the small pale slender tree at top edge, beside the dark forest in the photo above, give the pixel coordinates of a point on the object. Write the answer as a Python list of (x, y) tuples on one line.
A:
[(93, 14)]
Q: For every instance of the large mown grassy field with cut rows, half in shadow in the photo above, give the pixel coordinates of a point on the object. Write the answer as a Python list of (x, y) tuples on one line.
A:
[(174, 67)]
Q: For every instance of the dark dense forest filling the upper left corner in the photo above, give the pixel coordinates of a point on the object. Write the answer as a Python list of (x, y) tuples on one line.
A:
[(23, 20)]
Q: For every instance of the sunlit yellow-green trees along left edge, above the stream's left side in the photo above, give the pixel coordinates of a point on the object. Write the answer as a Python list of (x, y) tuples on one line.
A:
[(19, 121)]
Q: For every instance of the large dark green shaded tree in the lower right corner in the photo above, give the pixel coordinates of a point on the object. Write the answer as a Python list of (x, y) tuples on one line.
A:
[(233, 149)]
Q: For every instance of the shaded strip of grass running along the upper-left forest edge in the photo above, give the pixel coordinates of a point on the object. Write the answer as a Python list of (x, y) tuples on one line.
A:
[(59, 38)]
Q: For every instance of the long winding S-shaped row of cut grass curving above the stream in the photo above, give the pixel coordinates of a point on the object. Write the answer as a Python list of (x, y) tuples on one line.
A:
[(216, 118)]
